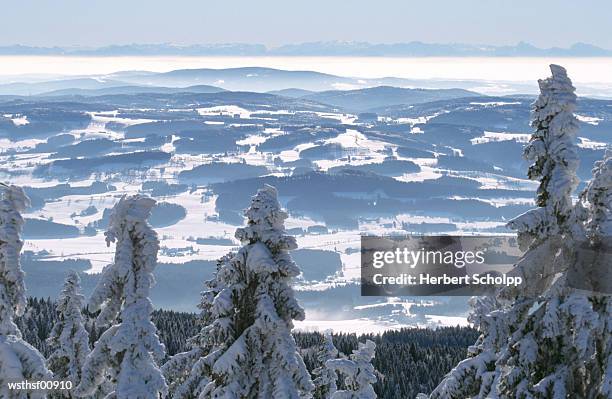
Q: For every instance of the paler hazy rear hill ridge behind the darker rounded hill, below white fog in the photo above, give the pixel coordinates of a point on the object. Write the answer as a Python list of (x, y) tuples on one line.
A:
[(255, 79)]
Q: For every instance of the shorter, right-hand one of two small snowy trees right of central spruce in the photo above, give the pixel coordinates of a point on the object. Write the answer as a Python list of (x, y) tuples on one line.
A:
[(359, 373)]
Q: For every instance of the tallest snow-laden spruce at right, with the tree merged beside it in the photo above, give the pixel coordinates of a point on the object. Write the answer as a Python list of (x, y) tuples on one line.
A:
[(548, 340)]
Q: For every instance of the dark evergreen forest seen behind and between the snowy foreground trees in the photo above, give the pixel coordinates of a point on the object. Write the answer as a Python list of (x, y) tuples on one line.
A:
[(409, 360)]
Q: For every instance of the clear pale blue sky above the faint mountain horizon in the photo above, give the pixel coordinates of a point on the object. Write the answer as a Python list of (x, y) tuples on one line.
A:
[(543, 23)]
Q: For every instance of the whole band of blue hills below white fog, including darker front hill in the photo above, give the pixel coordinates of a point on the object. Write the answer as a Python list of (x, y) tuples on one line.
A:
[(309, 85)]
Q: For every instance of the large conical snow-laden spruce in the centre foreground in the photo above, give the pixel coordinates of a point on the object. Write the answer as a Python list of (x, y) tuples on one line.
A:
[(249, 308)]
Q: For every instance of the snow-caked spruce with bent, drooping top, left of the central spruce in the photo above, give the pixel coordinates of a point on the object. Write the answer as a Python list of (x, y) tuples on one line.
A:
[(128, 351)]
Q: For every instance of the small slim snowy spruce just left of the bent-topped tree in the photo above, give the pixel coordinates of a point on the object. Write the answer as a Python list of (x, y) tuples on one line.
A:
[(69, 340)]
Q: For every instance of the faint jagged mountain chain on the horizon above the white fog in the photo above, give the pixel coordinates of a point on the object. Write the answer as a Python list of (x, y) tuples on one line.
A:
[(334, 48)]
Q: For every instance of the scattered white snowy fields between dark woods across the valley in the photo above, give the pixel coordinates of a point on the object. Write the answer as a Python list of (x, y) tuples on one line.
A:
[(202, 220)]
